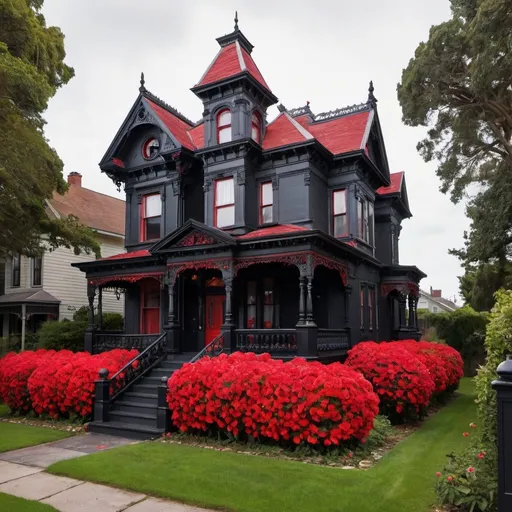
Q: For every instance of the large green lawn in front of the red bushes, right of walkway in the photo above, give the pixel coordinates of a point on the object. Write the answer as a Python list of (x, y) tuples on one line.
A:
[(401, 482)]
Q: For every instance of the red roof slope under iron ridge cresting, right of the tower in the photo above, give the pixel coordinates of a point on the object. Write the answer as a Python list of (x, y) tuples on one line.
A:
[(342, 134)]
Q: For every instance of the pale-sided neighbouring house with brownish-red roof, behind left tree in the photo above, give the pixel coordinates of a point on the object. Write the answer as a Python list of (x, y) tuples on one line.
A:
[(38, 289)]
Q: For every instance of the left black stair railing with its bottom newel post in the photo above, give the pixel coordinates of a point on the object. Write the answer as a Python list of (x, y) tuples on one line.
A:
[(108, 389)]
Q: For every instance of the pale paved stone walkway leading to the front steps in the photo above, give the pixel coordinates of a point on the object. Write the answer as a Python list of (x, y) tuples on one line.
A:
[(22, 474)]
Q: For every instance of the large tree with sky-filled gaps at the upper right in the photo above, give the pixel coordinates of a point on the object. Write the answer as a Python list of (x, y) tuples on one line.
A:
[(459, 80)]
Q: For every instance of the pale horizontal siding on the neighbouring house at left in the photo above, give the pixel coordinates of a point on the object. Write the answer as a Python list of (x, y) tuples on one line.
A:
[(69, 285)]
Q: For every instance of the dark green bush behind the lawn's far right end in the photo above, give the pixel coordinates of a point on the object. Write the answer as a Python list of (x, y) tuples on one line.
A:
[(464, 330)]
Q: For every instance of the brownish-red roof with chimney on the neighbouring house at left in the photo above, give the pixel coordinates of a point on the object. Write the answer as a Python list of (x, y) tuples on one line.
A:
[(95, 210)]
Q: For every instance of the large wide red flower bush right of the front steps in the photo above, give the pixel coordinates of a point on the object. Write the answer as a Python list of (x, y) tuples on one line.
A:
[(296, 402)]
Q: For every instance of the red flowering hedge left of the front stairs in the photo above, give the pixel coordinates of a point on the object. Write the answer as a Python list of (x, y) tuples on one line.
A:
[(57, 384)]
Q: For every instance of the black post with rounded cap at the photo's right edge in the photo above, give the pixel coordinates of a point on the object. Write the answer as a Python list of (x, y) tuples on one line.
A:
[(503, 387)]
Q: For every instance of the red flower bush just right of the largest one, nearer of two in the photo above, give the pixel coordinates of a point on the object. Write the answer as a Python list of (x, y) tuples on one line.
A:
[(402, 382)]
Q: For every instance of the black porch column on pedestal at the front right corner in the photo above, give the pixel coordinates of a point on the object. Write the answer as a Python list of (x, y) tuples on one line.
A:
[(306, 331)]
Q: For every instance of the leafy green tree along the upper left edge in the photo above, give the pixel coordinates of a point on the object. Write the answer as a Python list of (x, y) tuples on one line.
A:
[(32, 69)]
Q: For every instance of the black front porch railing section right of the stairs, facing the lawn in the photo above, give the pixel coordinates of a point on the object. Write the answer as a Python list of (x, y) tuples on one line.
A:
[(266, 340)]
